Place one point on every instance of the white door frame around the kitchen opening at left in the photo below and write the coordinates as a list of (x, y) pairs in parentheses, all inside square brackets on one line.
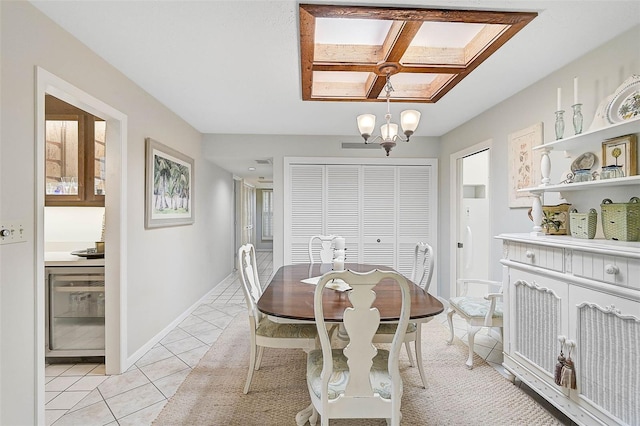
[(115, 249)]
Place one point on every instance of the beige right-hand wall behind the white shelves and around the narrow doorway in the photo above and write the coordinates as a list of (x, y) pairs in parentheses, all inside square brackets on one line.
[(600, 72)]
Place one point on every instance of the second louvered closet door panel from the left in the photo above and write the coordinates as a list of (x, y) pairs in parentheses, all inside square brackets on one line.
[(343, 206)]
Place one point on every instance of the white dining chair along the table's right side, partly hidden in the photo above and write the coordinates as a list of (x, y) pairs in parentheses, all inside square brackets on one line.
[(421, 274)]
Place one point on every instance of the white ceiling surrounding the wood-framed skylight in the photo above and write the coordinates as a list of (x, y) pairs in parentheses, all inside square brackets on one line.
[(233, 66)]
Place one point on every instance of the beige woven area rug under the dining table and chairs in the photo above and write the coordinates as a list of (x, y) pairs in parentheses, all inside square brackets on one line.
[(212, 393)]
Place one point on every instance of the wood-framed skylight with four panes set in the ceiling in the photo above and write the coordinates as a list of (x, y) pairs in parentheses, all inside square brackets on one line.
[(347, 52)]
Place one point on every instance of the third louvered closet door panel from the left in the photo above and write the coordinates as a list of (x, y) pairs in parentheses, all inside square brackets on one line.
[(379, 215)]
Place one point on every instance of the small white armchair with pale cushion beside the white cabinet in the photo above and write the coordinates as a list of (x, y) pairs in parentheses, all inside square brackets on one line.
[(478, 312)]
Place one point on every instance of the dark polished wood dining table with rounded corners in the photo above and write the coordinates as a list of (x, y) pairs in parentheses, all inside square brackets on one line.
[(288, 297)]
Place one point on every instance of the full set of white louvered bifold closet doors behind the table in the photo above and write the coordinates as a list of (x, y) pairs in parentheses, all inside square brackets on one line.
[(381, 210)]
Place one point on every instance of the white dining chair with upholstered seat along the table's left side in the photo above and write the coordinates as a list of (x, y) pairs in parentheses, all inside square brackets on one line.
[(265, 333)]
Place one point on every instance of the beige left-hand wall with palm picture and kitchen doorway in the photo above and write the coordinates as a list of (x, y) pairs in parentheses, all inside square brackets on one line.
[(167, 270)]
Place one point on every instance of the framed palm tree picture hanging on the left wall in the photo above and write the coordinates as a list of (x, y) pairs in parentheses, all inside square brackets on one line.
[(169, 186)]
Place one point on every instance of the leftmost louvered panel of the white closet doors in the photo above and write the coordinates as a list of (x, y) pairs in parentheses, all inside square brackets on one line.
[(306, 186)]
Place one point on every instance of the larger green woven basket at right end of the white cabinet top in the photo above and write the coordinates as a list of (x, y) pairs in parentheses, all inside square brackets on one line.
[(621, 221)]
